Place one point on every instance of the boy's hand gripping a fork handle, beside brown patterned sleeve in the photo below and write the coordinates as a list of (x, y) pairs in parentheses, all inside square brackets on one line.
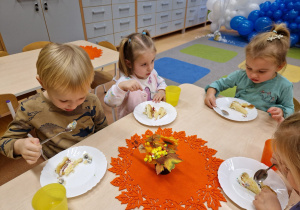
[(29, 148)]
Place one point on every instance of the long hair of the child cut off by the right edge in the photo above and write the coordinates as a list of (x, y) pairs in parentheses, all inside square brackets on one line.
[(287, 144)]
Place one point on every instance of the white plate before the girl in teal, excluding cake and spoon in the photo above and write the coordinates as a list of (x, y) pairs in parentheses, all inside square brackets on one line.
[(224, 103)]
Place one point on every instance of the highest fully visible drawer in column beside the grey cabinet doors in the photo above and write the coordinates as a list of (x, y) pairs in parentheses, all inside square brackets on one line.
[(97, 14)]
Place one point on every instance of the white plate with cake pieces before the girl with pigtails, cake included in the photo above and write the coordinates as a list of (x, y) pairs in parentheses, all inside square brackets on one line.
[(155, 114)]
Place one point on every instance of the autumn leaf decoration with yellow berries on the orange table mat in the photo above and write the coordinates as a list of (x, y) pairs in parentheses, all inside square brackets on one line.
[(161, 151)]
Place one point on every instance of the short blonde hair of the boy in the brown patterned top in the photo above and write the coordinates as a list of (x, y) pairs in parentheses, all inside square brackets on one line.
[(65, 67)]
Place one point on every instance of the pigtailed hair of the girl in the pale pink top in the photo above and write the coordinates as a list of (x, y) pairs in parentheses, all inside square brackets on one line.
[(131, 47)]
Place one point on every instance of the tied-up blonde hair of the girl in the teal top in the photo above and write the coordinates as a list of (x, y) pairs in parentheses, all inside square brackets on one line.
[(276, 49)]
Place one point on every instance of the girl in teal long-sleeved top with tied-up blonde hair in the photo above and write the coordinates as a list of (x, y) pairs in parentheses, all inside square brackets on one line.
[(260, 84)]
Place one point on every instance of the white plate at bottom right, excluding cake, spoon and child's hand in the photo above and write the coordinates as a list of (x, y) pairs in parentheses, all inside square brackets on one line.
[(232, 168)]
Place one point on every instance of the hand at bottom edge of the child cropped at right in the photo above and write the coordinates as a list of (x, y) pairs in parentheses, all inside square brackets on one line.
[(266, 199)]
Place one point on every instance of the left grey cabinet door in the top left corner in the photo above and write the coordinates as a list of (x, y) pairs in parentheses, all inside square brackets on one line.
[(21, 23)]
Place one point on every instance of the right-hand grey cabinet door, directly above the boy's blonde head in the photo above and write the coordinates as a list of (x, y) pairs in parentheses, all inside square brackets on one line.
[(63, 20)]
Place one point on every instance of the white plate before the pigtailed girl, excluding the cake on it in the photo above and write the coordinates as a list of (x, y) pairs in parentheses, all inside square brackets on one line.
[(142, 118)]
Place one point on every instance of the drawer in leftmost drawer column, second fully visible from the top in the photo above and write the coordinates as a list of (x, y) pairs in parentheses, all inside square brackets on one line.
[(99, 29)]
